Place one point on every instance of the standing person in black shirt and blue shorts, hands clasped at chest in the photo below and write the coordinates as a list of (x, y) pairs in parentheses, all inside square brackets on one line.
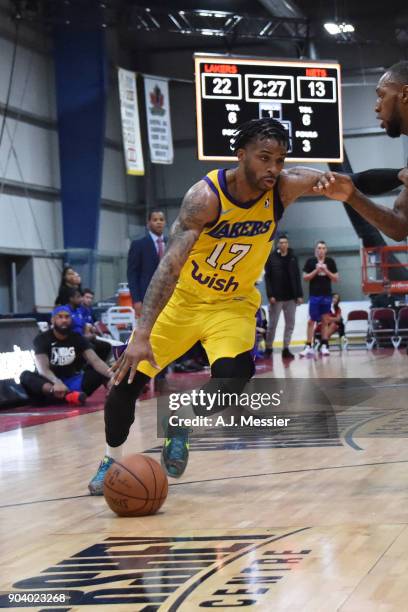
[(320, 271)]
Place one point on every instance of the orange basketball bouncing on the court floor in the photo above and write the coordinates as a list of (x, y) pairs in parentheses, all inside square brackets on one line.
[(135, 486)]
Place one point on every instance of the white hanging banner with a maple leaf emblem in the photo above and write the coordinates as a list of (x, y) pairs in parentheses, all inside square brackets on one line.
[(158, 120)]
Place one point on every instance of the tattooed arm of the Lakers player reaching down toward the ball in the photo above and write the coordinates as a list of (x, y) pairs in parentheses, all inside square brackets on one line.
[(199, 208)]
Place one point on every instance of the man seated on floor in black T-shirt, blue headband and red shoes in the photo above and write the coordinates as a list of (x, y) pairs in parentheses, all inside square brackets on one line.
[(59, 353)]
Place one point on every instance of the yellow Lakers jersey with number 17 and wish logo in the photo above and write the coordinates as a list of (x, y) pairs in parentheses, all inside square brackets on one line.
[(228, 257)]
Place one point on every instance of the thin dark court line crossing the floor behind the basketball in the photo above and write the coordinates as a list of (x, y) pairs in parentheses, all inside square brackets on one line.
[(189, 482)]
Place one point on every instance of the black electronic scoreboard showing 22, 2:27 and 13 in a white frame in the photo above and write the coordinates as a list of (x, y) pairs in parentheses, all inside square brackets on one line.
[(305, 96)]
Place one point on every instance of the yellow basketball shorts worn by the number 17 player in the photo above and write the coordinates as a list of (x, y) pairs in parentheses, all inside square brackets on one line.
[(225, 329)]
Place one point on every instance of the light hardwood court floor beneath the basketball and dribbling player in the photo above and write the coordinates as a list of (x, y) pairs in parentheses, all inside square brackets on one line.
[(313, 526)]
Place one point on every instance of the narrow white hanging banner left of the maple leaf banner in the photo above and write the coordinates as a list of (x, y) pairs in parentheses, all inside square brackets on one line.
[(129, 112)]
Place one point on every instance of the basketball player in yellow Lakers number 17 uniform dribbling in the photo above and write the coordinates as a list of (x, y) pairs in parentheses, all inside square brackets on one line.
[(204, 287)]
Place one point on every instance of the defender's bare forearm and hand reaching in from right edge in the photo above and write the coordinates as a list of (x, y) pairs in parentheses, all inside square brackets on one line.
[(392, 221)]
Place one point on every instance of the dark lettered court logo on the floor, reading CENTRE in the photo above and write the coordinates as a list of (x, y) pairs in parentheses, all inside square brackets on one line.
[(145, 573)]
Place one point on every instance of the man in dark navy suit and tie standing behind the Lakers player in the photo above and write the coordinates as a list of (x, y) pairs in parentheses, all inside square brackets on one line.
[(144, 257)]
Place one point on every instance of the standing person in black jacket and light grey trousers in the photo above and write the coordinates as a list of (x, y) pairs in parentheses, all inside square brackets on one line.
[(284, 291)]
